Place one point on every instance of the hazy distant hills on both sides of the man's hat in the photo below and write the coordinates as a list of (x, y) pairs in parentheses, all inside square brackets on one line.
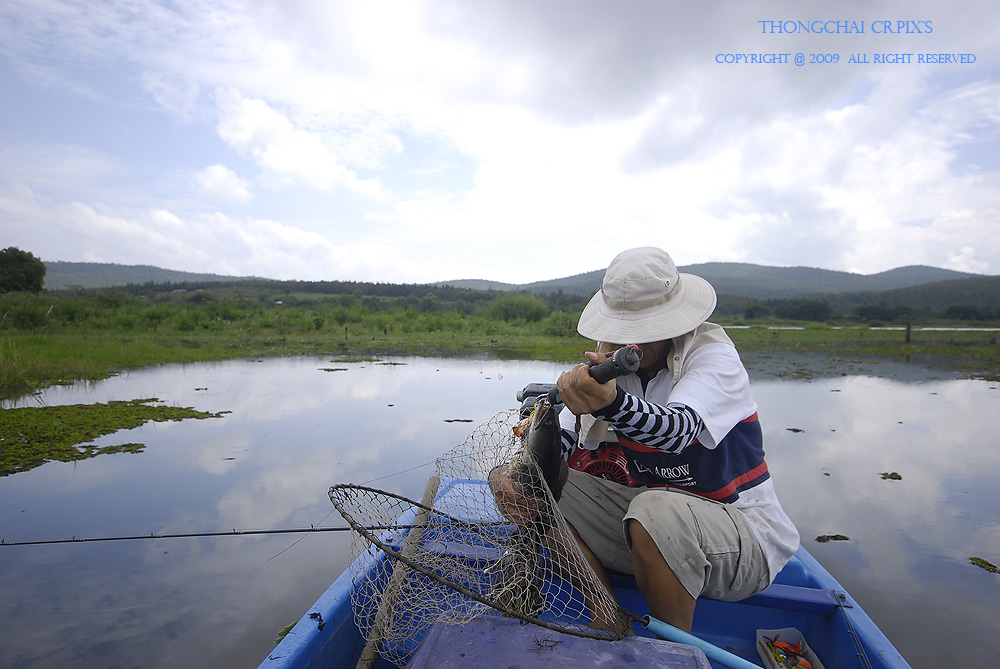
[(748, 280)]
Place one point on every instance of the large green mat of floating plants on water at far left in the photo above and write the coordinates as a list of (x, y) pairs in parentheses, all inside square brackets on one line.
[(32, 436)]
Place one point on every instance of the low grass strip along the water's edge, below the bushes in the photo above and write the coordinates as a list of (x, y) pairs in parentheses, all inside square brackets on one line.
[(29, 361)]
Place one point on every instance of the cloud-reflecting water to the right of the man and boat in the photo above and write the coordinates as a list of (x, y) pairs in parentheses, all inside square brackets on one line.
[(908, 558)]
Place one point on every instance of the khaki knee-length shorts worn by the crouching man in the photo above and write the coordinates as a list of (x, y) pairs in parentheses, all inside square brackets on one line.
[(710, 546)]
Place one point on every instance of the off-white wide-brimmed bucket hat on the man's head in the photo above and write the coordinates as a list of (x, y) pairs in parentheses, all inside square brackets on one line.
[(644, 299)]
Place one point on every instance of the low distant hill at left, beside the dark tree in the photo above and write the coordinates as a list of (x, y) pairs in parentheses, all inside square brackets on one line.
[(63, 275)]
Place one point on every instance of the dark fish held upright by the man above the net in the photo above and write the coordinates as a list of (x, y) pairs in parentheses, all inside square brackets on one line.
[(541, 452)]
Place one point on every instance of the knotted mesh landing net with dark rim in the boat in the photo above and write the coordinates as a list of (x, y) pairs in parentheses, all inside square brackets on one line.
[(455, 555)]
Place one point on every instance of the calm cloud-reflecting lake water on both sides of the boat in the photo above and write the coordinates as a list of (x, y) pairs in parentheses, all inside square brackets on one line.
[(299, 425)]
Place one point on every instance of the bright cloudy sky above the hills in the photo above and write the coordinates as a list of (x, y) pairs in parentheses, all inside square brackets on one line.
[(513, 140)]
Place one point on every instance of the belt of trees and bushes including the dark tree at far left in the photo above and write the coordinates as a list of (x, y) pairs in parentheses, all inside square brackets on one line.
[(258, 303)]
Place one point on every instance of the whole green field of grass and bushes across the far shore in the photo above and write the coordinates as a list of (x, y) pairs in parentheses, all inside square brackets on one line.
[(55, 338)]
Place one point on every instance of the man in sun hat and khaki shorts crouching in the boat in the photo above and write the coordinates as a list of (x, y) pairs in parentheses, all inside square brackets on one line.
[(698, 516)]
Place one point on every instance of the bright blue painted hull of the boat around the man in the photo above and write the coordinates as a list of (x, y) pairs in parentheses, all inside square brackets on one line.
[(804, 596)]
